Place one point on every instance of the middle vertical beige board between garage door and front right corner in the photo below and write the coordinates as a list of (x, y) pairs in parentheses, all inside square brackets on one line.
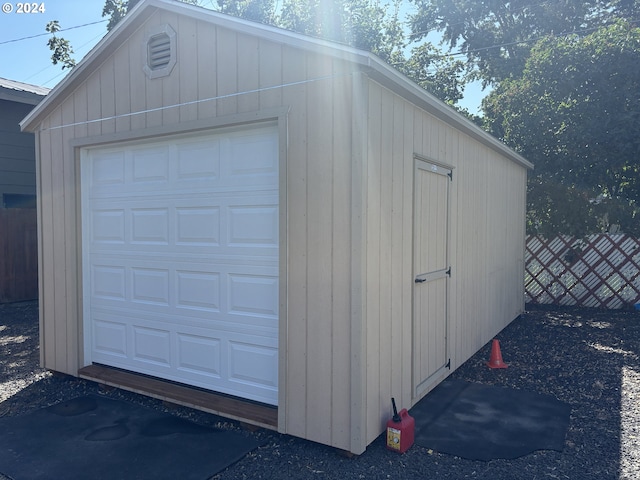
[(319, 254)]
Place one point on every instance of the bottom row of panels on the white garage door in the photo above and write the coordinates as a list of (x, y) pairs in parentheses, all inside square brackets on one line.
[(247, 364)]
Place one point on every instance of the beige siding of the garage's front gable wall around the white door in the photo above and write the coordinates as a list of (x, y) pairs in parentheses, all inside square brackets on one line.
[(316, 386)]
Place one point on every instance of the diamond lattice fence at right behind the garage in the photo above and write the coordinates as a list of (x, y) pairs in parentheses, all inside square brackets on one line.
[(595, 271)]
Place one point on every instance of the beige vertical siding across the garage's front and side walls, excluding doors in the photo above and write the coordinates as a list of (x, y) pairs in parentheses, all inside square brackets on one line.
[(347, 214)]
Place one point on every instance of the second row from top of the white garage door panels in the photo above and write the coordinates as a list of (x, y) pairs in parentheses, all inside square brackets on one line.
[(226, 223)]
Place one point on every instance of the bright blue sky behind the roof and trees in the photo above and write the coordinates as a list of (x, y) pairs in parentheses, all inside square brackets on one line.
[(25, 56)]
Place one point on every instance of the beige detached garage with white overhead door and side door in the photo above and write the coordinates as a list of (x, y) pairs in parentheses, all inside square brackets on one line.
[(267, 226)]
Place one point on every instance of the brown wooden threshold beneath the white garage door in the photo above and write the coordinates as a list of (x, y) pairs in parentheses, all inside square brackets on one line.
[(211, 402)]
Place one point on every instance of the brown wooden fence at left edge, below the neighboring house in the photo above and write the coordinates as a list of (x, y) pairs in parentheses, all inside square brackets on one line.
[(18, 255)]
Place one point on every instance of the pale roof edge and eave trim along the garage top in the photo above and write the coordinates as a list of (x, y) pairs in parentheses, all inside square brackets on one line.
[(374, 67)]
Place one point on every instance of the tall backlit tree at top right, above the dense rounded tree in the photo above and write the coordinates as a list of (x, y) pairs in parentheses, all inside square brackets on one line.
[(496, 36)]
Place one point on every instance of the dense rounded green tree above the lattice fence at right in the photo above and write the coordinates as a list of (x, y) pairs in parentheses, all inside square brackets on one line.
[(575, 113)]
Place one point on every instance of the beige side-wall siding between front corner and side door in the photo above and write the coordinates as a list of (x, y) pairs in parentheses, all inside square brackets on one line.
[(388, 244)]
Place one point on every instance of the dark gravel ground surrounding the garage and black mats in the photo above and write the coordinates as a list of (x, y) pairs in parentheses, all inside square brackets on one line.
[(587, 358)]
